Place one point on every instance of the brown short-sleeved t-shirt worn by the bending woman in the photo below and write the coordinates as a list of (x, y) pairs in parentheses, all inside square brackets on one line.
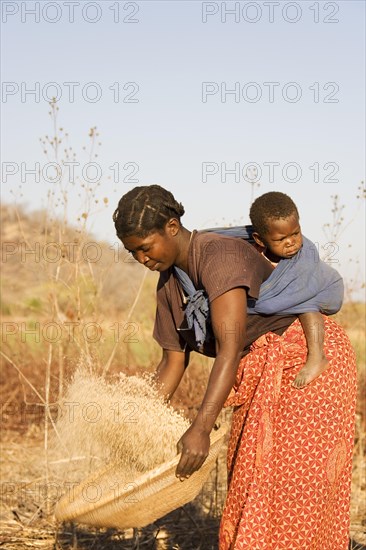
[(216, 264)]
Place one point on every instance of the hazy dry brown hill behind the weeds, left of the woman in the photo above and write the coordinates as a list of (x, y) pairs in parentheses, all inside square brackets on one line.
[(39, 255)]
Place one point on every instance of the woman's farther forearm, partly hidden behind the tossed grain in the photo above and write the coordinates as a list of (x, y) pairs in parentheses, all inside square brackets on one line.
[(170, 371)]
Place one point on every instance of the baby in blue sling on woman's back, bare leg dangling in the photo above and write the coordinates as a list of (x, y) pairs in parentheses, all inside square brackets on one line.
[(301, 283)]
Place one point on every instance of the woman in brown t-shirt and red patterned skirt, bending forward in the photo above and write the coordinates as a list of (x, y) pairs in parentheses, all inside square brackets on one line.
[(290, 450)]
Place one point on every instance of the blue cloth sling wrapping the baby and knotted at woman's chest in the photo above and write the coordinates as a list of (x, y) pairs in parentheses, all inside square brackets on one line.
[(299, 284)]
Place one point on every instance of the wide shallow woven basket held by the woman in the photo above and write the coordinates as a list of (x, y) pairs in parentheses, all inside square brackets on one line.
[(107, 499)]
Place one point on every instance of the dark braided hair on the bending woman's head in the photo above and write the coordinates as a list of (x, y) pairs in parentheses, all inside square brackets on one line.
[(145, 210)]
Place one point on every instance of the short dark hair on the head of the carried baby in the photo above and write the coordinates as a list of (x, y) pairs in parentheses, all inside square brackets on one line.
[(271, 206)]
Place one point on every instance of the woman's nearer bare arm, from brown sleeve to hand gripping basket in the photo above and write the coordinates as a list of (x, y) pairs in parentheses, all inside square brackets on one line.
[(228, 317)]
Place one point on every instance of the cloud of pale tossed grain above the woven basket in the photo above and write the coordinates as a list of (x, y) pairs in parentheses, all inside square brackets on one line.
[(123, 421)]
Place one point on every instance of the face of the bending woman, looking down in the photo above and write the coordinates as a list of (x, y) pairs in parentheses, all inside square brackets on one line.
[(158, 251)]
